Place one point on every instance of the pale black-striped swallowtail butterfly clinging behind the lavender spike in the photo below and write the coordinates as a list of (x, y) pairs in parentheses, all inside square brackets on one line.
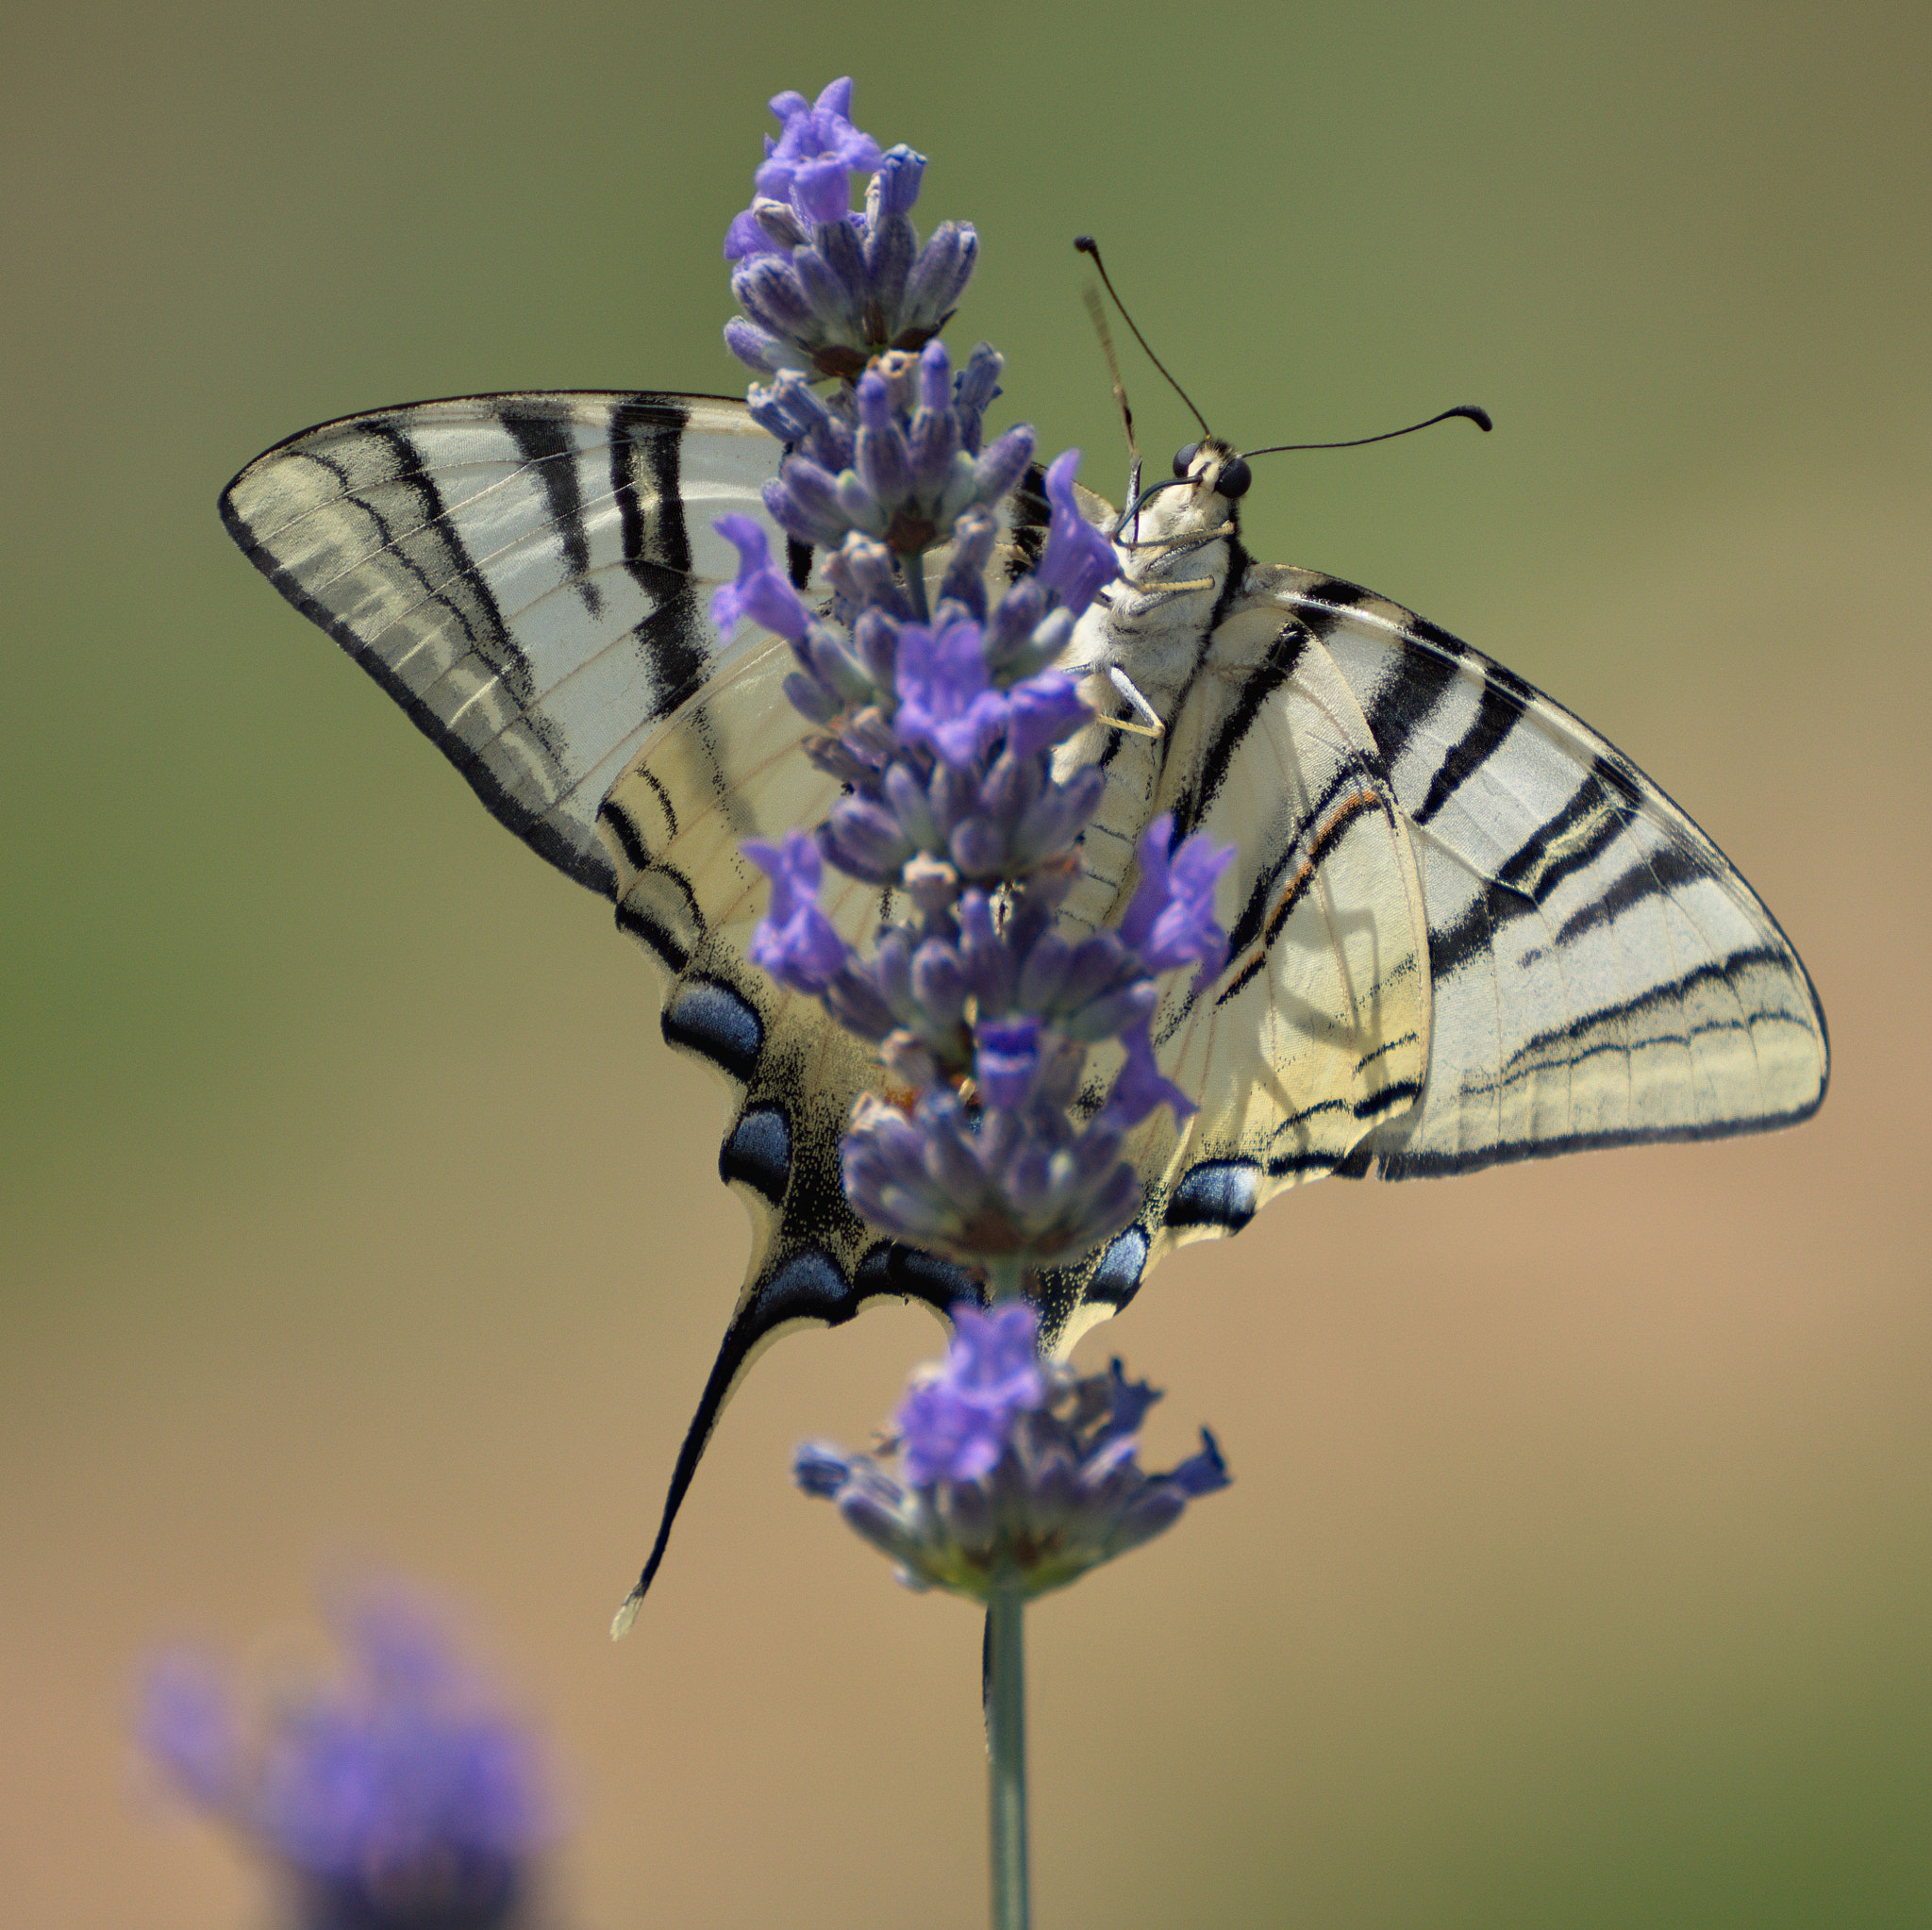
[(1462, 926)]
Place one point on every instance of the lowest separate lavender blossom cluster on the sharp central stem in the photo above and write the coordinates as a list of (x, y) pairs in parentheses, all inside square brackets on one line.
[(1013, 1473)]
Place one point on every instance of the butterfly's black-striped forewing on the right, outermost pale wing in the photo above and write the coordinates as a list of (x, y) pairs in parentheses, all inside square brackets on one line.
[(1601, 973)]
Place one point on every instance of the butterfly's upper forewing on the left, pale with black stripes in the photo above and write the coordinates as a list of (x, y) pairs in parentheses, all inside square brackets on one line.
[(525, 575)]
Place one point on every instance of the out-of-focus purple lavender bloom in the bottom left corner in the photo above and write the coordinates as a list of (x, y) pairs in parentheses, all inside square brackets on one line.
[(391, 1800)]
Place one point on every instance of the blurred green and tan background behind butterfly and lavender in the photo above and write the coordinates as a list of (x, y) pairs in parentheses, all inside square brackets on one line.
[(1577, 1564)]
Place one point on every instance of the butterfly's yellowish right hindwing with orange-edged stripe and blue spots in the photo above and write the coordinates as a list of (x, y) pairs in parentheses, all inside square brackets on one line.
[(1319, 1027)]
